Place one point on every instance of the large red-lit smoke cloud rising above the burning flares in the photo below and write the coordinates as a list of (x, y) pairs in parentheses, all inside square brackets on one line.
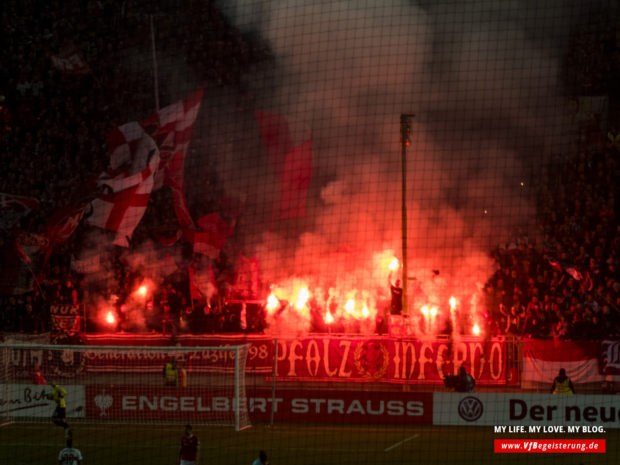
[(483, 80)]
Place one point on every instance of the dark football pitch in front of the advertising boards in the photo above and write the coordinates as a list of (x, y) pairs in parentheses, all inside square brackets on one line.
[(116, 444)]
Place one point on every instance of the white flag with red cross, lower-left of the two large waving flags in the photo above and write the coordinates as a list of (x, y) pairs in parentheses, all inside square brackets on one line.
[(122, 207)]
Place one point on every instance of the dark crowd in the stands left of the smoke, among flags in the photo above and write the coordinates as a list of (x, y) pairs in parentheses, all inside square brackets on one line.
[(66, 77)]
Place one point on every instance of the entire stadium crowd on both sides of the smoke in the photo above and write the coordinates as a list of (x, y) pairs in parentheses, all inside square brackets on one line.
[(566, 286)]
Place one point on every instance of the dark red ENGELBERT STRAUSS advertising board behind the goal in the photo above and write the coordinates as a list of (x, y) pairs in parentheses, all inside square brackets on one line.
[(289, 405)]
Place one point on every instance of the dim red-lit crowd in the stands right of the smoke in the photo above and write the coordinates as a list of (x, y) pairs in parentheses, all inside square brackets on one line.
[(568, 285)]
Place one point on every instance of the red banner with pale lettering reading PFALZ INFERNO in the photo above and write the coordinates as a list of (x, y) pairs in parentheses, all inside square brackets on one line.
[(389, 360)]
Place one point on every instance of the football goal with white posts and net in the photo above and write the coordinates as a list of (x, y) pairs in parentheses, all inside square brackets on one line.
[(142, 385)]
